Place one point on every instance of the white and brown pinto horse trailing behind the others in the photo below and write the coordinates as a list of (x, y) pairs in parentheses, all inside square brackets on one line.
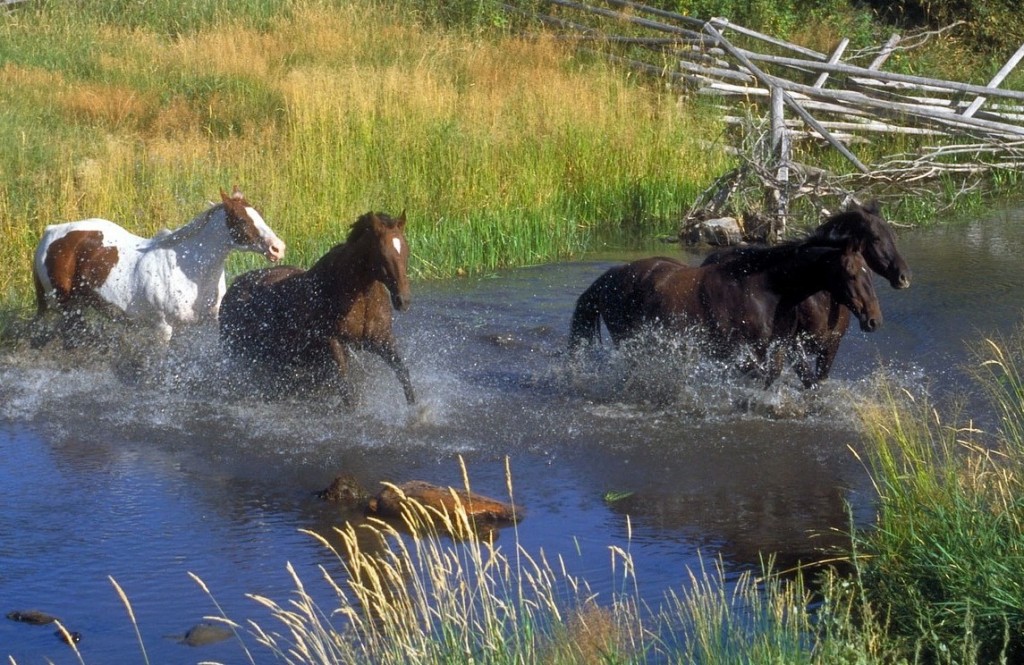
[(175, 279)]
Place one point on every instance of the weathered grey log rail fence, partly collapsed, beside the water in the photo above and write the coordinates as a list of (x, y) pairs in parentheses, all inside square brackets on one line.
[(778, 94)]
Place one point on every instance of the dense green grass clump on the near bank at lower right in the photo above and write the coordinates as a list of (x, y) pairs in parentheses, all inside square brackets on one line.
[(945, 563)]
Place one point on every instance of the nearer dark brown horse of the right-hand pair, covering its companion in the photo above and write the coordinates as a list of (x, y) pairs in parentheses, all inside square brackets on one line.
[(750, 300)]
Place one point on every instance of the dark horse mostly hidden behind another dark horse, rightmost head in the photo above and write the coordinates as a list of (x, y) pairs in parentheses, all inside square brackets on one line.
[(822, 322)]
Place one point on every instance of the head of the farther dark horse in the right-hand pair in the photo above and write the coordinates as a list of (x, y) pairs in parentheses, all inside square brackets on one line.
[(874, 237)]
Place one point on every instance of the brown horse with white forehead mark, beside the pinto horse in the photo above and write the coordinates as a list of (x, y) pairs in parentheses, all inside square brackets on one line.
[(286, 318)]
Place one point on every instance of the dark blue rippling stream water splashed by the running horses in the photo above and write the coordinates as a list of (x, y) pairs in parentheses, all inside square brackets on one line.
[(146, 476)]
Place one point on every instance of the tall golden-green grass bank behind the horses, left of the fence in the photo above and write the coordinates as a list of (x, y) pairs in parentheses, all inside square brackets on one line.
[(503, 151)]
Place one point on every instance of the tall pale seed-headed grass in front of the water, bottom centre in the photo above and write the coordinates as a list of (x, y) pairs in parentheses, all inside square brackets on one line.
[(440, 591)]
